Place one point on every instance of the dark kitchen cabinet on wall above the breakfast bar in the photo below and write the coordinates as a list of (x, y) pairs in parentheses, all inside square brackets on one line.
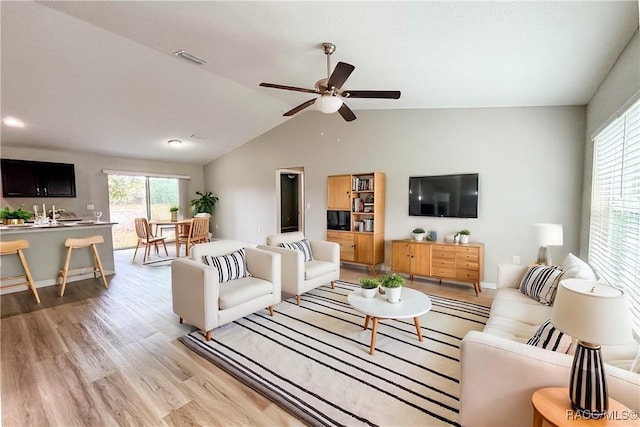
[(23, 178)]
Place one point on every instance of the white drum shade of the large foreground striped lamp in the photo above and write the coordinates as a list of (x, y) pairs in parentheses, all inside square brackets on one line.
[(592, 312)]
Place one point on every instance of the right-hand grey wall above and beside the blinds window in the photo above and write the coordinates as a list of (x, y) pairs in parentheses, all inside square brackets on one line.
[(618, 89)]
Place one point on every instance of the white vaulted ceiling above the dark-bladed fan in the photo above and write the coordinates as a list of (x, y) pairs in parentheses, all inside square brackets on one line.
[(102, 77)]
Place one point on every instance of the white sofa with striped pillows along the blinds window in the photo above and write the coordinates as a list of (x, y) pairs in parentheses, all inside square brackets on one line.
[(500, 371)]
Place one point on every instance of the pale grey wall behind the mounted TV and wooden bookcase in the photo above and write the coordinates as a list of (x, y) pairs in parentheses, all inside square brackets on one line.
[(529, 160)]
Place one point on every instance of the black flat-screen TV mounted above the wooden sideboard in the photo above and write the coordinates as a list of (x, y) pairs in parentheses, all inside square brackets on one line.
[(450, 196)]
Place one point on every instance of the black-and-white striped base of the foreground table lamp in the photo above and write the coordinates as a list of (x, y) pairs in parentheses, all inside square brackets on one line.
[(588, 385)]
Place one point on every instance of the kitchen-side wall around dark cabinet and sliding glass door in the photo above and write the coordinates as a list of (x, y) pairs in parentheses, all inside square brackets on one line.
[(91, 183)]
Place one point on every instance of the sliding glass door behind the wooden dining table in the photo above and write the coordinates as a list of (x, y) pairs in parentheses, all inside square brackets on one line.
[(137, 196)]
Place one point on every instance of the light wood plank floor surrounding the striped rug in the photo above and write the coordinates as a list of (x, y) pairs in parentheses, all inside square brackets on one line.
[(100, 357)]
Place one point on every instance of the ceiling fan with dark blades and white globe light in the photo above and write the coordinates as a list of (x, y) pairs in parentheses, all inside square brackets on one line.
[(329, 89)]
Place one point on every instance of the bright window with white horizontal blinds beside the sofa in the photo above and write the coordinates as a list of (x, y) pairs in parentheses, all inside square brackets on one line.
[(614, 250)]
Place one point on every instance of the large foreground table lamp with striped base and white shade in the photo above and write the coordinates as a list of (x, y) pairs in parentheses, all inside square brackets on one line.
[(593, 313)]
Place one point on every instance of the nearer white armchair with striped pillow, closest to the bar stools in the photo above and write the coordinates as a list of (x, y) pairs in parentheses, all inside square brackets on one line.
[(201, 300)]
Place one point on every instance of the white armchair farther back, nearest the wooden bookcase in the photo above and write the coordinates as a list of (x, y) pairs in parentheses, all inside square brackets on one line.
[(299, 276)]
